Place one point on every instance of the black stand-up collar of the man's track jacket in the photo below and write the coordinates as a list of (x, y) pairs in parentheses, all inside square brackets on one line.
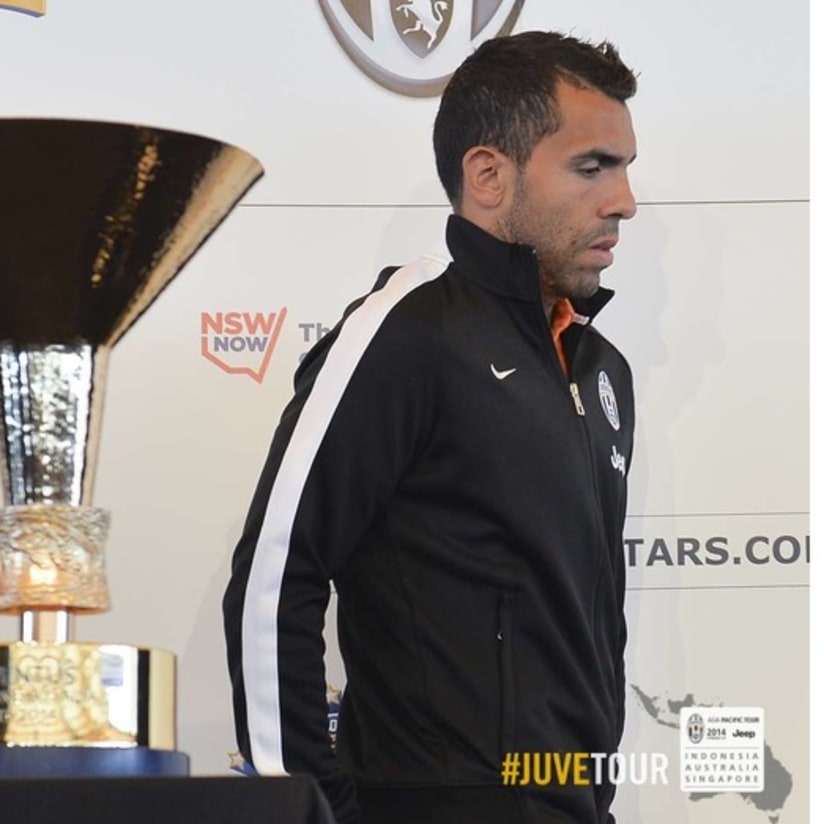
[(508, 269)]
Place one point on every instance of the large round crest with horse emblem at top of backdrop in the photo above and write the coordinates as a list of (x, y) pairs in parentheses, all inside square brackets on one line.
[(413, 47)]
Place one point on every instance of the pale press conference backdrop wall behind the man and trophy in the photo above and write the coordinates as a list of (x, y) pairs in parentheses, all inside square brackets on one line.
[(711, 311)]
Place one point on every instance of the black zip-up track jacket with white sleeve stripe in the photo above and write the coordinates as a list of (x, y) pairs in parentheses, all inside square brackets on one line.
[(467, 498)]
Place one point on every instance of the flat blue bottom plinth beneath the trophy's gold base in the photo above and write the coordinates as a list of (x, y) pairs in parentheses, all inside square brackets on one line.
[(87, 762)]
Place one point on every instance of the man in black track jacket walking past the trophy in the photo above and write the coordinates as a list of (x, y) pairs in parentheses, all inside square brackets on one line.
[(454, 459)]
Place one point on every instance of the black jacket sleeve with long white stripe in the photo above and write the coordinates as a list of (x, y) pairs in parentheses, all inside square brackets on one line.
[(360, 409)]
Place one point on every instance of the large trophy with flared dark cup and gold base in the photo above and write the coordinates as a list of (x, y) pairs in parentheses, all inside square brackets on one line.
[(95, 220)]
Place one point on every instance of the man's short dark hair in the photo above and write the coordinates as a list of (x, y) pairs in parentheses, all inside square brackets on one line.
[(503, 95)]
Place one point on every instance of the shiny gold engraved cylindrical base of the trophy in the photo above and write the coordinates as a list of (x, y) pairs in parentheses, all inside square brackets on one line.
[(81, 695)]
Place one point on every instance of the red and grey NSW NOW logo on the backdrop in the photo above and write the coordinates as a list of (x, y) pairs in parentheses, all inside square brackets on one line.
[(241, 343)]
